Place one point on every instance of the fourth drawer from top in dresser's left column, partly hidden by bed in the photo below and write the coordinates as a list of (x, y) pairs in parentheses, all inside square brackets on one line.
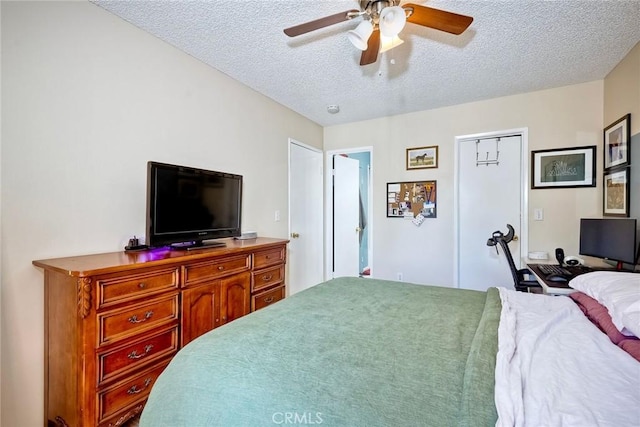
[(121, 397)]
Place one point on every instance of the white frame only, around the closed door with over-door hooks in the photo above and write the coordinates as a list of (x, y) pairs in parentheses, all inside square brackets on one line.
[(524, 194)]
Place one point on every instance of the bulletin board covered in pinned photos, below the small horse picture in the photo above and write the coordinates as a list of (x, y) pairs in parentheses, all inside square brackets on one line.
[(408, 199)]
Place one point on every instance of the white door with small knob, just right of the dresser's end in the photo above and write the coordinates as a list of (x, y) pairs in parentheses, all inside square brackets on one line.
[(305, 217)]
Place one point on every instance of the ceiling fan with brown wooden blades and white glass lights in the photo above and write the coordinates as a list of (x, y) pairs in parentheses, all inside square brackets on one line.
[(384, 19)]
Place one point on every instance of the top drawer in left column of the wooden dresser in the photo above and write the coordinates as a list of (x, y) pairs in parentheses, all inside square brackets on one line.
[(115, 289)]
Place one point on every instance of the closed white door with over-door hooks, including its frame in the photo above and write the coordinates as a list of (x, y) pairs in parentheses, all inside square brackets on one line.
[(490, 192)]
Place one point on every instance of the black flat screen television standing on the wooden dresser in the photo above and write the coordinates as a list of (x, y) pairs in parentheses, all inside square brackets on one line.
[(187, 206)]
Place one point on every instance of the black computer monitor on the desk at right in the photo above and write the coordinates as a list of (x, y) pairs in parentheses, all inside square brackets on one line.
[(613, 239)]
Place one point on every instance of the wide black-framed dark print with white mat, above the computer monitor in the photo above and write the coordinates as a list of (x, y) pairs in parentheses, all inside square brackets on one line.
[(563, 167)]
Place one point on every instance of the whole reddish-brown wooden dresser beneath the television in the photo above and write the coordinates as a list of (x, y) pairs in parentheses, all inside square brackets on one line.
[(113, 321)]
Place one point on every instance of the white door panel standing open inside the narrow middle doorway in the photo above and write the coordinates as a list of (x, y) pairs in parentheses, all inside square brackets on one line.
[(346, 216)]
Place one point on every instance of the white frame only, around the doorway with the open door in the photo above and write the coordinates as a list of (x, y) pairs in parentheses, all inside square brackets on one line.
[(329, 207)]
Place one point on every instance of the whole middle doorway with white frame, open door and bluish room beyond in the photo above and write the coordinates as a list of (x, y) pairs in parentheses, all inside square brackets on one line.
[(348, 220)]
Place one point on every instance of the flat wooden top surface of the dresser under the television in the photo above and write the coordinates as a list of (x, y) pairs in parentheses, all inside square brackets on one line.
[(90, 265)]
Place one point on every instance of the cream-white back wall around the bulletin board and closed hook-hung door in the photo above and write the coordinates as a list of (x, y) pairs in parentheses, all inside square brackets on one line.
[(563, 117)]
